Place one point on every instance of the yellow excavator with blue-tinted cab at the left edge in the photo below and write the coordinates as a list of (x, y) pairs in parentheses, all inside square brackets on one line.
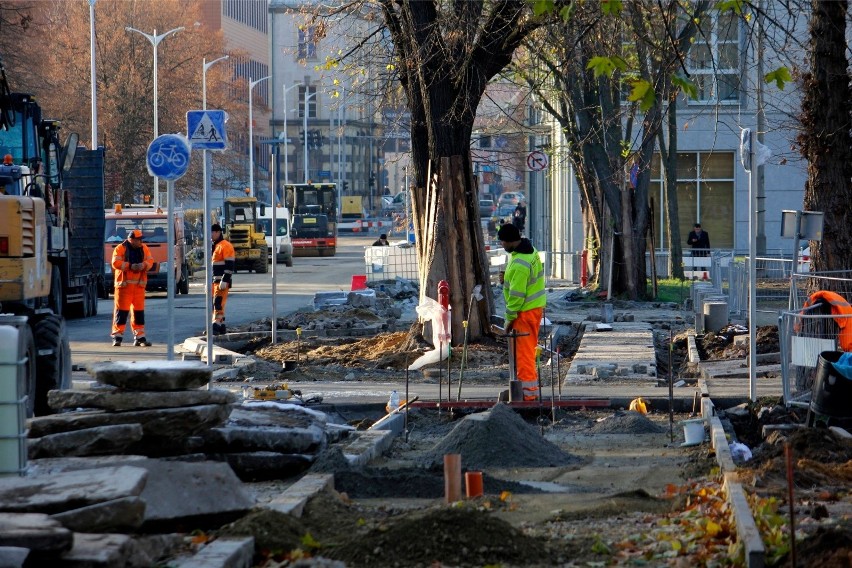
[(35, 235)]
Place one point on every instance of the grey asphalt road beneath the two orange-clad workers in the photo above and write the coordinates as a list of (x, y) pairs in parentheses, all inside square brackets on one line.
[(249, 300)]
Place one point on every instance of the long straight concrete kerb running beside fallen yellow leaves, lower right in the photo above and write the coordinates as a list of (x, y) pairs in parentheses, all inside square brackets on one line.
[(747, 531)]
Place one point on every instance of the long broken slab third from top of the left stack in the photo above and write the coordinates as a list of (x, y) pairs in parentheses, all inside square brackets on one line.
[(157, 423)]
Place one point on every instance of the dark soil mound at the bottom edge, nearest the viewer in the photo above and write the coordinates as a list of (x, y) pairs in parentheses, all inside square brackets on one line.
[(443, 537)]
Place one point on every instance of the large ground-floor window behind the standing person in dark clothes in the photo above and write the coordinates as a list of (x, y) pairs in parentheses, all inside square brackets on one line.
[(705, 194)]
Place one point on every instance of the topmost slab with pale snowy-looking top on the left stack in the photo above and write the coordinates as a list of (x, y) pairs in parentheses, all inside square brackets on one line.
[(152, 375)]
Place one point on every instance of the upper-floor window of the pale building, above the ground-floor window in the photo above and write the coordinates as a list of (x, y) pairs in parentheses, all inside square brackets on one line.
[(714, 59)]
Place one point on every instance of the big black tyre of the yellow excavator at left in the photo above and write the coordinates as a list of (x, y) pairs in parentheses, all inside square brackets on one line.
[(53, 365)]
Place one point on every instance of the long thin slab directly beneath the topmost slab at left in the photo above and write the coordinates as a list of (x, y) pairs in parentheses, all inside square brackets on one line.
[(119, 401)]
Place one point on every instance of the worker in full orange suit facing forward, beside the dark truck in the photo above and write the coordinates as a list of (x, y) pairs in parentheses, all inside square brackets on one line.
[(131, 261)]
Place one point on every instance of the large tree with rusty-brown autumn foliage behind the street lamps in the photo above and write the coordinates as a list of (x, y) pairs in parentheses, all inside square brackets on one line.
[(124, 68)]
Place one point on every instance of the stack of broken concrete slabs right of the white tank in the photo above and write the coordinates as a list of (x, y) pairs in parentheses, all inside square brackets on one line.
[(151, 408)]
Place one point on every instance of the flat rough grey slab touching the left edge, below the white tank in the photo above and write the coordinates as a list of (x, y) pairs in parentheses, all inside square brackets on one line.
[(71, 490)]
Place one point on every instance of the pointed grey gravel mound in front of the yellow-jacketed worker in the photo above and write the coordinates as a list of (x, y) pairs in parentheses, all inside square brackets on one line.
[(498, 438)]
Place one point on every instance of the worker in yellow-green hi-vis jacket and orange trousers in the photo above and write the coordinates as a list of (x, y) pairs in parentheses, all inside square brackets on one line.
[(523, 291)]
